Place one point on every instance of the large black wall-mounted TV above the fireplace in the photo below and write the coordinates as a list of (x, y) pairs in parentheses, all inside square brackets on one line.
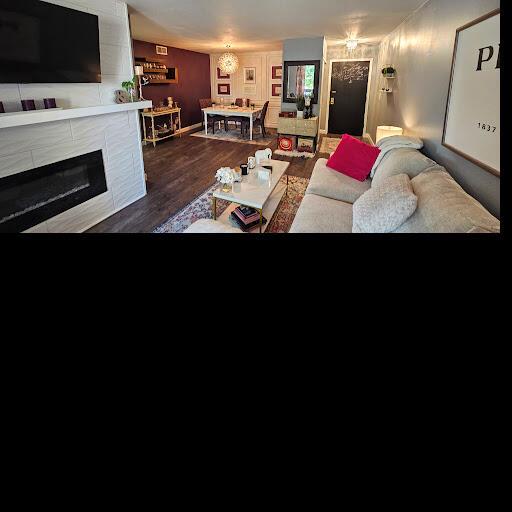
[(45, 43)]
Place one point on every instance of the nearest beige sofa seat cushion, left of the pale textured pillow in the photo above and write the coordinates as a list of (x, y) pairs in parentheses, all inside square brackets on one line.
[(319, 214)]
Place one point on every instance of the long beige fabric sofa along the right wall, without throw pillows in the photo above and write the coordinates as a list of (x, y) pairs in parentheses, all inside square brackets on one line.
[(443, 206)]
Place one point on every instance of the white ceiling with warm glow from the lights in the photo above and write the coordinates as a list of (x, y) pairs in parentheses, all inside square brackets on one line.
[(261, 25)]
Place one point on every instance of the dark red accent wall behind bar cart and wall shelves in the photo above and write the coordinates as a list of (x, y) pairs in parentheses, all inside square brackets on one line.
[(193, 74)]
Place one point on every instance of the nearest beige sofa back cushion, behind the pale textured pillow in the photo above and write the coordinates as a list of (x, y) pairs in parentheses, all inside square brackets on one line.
[(444, 207)]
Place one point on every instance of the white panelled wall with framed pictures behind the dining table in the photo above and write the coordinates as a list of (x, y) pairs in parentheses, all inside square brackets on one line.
[(260, 92)]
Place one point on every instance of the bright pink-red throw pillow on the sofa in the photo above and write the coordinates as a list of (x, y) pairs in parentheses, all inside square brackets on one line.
[(353, 158)]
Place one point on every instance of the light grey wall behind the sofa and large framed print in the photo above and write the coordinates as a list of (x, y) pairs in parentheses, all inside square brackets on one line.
[(421, 50)]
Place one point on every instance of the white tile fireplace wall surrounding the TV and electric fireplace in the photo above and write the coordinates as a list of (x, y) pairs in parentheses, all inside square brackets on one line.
[(117, 135)]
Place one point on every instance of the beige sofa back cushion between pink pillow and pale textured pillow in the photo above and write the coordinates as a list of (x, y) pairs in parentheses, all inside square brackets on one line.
[(402, 161)]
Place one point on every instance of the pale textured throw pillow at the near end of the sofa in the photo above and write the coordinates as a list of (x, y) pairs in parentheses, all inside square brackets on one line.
[(385, 208)]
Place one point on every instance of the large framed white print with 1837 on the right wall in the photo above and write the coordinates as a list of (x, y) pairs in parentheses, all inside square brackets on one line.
[(472, 123)]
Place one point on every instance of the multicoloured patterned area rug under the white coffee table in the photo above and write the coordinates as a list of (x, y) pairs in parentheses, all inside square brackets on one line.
[(201, 208)]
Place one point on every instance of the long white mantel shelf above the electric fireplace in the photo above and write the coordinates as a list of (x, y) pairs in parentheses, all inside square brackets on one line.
[(47, 116)]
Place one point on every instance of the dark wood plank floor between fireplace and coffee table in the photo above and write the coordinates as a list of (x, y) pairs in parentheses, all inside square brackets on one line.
[(178, 171)]
